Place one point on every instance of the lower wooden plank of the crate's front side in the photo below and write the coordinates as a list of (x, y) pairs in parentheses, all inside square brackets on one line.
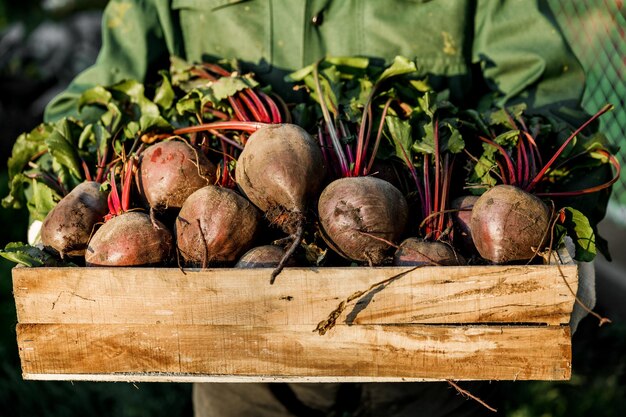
[(361, 351)]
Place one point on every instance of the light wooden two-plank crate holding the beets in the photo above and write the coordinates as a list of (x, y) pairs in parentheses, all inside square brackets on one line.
[(430, 323)]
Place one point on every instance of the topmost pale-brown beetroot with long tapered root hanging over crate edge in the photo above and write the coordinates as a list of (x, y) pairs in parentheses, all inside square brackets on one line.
[(281, 170)]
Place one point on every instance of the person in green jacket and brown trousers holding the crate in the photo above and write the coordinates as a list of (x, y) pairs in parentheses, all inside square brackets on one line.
[(495, 51)]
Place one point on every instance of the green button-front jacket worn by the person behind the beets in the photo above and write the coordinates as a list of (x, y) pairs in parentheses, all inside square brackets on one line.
[(502, 50)]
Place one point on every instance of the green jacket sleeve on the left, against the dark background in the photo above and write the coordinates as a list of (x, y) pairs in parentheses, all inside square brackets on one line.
[(133, 38)]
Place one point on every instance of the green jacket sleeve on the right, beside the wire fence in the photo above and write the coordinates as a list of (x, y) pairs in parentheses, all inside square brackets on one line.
[(524, 57)]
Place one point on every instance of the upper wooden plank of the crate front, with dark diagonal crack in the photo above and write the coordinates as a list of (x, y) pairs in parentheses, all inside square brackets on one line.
[(301, 296)]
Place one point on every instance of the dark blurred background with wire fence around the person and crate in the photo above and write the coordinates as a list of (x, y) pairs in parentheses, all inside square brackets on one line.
[(44, 43)]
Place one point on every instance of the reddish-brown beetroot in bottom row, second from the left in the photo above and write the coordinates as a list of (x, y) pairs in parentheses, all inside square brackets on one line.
[(130, 239)]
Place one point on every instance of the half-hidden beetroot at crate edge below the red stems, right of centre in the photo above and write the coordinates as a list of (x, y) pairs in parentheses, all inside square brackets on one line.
[(414, 252)]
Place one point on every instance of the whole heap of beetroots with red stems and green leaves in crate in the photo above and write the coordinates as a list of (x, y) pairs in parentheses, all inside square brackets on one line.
[(388, 173)]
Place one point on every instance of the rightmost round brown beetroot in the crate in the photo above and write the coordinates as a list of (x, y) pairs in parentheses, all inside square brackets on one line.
[(509, 224)]
